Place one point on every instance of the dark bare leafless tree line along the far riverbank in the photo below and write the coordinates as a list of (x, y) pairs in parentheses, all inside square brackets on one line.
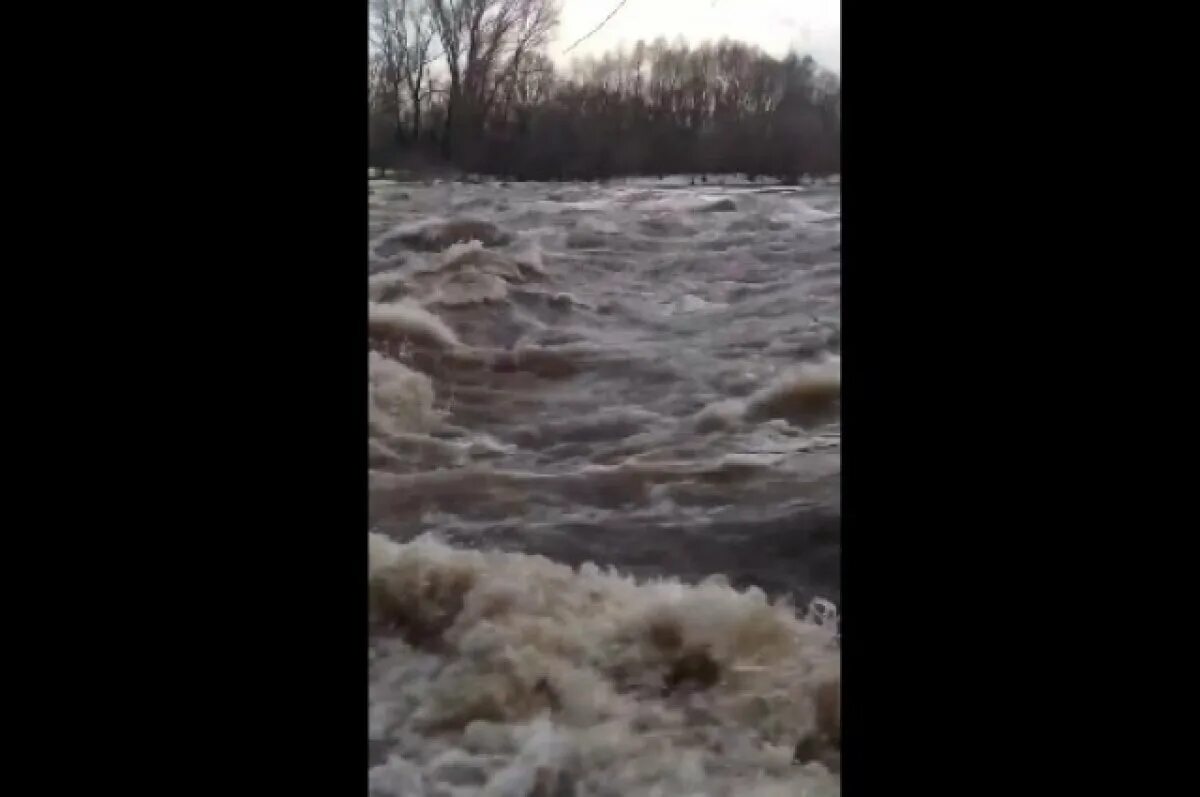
[(471, 83)]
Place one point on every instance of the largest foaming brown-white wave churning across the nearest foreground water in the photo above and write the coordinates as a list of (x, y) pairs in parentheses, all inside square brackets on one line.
[(543, 679)]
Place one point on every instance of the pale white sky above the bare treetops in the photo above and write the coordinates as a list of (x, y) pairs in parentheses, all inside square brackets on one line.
[(812, 27)]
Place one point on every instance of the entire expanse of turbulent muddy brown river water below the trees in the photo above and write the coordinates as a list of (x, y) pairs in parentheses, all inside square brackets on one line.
[(604, 465)]
